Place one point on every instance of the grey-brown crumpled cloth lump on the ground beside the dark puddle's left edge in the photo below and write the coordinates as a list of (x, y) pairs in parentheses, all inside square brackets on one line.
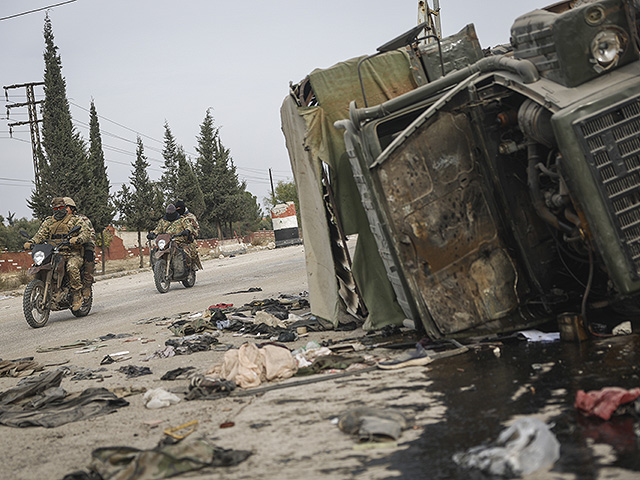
[(372, 424)]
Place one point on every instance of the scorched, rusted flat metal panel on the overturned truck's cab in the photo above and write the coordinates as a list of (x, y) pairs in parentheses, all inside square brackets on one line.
[(447, 237)]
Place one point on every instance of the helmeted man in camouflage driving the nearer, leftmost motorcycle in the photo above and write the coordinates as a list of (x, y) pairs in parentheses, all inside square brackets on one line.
[(53, 229)]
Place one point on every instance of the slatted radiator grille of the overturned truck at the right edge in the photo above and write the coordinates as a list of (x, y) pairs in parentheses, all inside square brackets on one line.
[(611, 142)]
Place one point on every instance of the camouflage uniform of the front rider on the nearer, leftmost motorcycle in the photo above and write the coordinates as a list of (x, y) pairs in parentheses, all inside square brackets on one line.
[(52, 230)]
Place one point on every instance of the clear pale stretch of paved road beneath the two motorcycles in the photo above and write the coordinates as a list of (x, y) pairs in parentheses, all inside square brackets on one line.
[(119, 301)]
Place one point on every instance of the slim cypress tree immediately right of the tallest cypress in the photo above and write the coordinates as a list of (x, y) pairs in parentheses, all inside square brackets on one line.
[(100, 210)]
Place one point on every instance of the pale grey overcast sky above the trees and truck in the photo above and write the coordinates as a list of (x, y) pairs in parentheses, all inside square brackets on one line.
[(145, 62)]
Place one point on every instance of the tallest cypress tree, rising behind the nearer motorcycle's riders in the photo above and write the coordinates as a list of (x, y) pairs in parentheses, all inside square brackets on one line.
[(64, 168)]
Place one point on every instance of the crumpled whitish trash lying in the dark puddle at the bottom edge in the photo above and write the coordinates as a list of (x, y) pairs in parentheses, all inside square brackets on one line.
[(523, 448)]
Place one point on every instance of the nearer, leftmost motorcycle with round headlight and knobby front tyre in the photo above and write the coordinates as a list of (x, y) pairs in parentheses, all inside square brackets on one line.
[(50, 289)]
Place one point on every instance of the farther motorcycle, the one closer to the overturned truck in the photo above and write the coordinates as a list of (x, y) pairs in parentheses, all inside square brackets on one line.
[(171, 263)]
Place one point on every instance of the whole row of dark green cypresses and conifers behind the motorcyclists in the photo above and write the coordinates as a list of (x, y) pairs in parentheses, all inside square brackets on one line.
[(71, 166)]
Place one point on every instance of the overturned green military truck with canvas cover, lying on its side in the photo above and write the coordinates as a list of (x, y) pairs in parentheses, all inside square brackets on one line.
[(490, 190)]
